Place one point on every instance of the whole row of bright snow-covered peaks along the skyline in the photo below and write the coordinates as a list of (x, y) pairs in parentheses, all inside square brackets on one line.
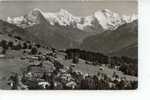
[(105, 19)]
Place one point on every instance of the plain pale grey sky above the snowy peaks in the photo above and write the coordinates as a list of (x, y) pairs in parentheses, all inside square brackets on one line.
[(11, 8)]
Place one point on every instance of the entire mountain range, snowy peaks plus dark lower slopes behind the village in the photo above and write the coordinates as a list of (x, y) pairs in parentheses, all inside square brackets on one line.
[(104, 31)]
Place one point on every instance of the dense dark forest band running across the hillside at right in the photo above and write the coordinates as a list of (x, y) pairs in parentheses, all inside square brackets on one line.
[(126, 65)]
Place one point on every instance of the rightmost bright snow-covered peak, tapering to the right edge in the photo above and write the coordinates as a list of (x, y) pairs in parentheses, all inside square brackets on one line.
[(112, 20)]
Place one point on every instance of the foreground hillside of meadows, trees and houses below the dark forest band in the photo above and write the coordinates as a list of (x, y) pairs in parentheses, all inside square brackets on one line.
[(16, 61)]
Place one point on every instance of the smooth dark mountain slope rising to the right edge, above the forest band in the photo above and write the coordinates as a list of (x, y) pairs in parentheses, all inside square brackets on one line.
[(112, 41)]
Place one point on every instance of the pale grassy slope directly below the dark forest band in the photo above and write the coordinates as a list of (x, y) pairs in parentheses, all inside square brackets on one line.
[(92, 70)]
